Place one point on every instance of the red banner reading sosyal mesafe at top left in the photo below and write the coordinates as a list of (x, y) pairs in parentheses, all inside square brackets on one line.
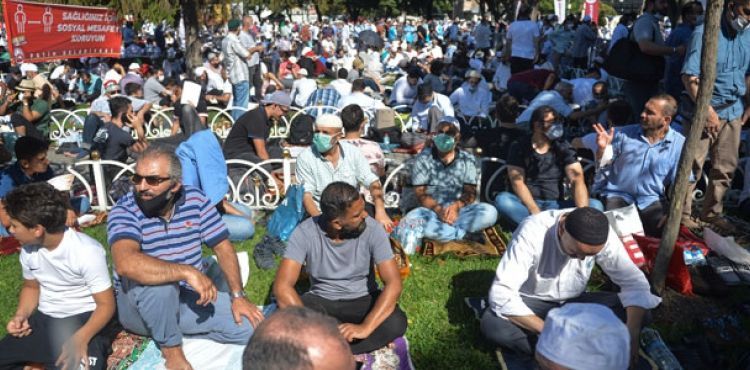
[(39, 32)]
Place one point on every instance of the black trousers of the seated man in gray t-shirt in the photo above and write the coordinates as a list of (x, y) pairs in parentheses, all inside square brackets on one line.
[(354, 311)]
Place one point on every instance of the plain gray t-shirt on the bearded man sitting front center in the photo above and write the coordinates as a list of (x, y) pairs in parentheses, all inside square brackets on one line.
[(339, 270)]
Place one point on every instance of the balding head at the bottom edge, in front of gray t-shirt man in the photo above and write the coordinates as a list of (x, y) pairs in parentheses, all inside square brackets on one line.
[(298, 338)]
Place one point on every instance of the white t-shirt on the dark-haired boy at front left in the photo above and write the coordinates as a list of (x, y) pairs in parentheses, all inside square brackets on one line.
[(69, 275)]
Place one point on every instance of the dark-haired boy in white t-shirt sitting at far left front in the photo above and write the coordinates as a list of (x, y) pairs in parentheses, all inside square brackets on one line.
[(66, 299)]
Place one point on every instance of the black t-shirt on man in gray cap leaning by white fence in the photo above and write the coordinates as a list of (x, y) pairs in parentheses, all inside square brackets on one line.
[(254, 124)]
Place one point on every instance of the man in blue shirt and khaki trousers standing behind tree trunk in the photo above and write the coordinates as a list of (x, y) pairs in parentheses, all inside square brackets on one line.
[(721, 136)]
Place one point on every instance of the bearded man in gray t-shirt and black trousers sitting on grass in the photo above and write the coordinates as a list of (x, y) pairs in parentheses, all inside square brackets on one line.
[(339, 249)]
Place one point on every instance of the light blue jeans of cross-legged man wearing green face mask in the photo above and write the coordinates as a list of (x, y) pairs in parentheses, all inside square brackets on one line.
[(472, 218)]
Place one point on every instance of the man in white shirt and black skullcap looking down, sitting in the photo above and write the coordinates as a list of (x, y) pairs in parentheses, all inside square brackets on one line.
[(547, 265)]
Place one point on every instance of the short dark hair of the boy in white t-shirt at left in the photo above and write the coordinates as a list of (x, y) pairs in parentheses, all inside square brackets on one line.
[(38, 203)]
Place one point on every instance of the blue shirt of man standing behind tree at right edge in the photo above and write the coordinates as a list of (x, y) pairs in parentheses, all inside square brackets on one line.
[(733, 59)]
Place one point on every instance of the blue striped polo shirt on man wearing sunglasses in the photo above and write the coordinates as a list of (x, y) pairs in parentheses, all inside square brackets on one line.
[(195, 221)]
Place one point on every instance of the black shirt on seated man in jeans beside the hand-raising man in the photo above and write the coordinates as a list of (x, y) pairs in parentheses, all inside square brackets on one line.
[(543, 172)]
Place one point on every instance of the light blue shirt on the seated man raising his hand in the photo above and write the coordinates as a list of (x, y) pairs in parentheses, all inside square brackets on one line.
[(641, 172)]
